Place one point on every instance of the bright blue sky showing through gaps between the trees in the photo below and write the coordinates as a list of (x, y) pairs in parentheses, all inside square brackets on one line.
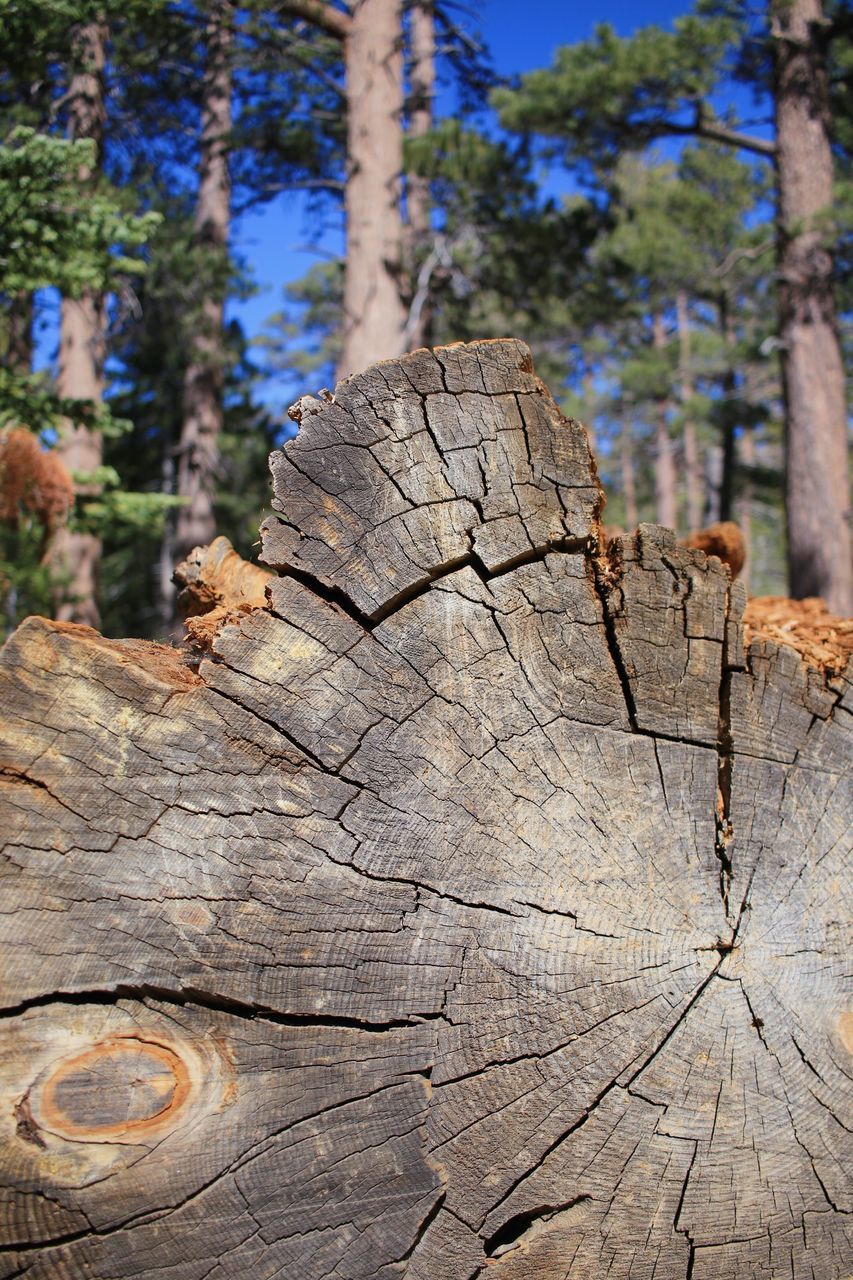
[(521, 38)]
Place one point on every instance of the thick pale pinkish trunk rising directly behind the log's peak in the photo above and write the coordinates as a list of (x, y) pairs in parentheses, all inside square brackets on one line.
[(375, 317)]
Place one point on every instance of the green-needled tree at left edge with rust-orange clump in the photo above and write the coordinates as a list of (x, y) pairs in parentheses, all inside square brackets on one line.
[(56, 234)]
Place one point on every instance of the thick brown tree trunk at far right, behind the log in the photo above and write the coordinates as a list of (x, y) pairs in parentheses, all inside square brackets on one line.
[(818, 493)]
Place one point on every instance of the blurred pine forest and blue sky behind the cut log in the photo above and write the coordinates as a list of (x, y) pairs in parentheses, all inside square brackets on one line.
[(209, 209)]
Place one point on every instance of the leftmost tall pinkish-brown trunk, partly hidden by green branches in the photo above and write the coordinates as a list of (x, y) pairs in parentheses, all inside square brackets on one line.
[(77, 555)]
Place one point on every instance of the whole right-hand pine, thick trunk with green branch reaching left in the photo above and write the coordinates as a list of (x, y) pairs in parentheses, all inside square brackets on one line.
[(610, 95)]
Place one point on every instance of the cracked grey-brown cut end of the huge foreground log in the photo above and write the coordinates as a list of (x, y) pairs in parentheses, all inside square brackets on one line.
[(476, 909)]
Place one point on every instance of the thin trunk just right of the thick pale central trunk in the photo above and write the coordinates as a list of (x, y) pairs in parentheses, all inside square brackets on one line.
[(422, 35)]
